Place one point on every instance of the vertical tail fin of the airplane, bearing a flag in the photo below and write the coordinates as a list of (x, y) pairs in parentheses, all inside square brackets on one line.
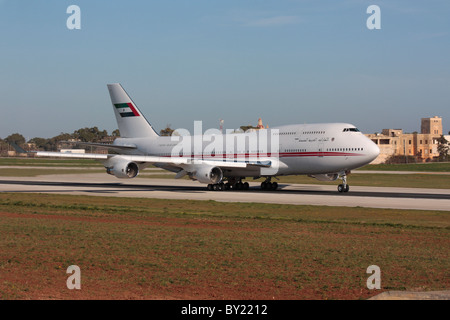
[(131, 122)]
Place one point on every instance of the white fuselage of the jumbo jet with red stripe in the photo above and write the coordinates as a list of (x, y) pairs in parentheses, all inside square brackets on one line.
[(299, 149)]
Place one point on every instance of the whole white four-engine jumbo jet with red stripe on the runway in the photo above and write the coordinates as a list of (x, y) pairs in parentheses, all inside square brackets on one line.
[(325, 151)]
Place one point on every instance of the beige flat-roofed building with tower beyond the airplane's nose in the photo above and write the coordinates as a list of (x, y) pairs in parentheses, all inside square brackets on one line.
[(421, 145)]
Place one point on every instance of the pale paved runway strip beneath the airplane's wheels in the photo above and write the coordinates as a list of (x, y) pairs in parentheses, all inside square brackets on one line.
[(100, 184)]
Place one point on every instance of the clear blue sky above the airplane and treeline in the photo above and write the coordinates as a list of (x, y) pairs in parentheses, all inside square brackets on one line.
[(287, 62)]
